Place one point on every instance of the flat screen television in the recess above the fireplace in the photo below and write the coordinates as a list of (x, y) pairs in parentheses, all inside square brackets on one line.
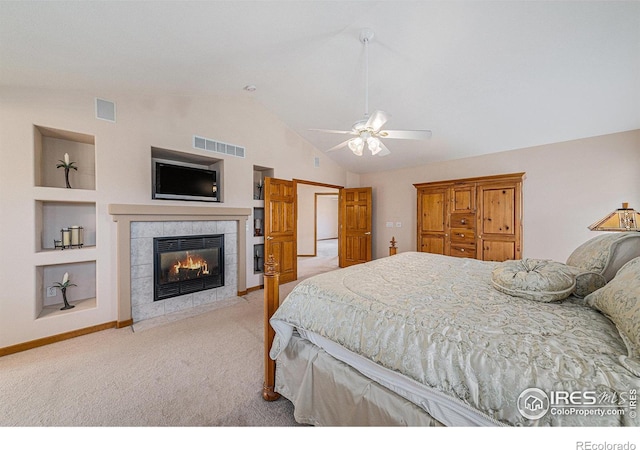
[(183, 181)]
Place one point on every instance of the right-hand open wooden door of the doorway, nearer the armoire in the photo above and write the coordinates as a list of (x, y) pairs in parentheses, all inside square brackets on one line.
[(354, 232)]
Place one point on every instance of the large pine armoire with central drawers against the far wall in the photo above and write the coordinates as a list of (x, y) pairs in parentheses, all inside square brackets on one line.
[(472, 218)]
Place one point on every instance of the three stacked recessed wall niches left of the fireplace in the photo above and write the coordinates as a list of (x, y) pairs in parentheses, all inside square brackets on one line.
[(58, 206)]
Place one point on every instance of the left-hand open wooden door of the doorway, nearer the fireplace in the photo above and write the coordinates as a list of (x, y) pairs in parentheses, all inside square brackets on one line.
[(280, 226)]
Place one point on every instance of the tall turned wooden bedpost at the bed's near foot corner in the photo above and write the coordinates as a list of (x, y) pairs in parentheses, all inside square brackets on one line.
[(271, 303)]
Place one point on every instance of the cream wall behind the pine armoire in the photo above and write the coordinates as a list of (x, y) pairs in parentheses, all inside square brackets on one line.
[(567, 187)]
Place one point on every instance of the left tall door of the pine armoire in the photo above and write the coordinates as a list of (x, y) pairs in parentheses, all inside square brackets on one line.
[(433, 213)]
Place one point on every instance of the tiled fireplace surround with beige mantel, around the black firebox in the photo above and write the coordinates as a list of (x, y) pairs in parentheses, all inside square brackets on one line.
[(138, 225)]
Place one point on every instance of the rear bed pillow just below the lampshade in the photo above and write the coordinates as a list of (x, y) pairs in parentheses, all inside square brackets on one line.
[(606, 253)]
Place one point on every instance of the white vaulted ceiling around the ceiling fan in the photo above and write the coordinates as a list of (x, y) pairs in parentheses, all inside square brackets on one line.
[(483, 76)]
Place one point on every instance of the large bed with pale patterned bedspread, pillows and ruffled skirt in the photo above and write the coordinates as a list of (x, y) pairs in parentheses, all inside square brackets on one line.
[(421, 339)]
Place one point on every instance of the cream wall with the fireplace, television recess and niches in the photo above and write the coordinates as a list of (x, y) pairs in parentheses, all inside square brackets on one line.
[(123, 175)]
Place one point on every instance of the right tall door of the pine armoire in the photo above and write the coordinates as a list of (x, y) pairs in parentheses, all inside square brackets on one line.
[(499, 221)]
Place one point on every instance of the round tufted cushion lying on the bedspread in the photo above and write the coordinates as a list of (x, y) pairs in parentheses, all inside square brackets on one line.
[(535, 279)]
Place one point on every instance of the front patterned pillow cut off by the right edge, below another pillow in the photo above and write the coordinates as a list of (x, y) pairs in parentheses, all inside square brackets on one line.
[(619, 300)]
